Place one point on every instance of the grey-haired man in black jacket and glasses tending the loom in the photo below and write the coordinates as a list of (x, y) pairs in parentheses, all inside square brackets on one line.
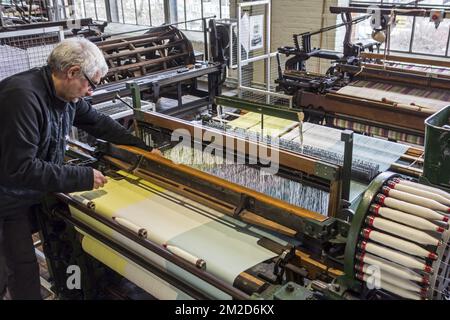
[(38, 109)]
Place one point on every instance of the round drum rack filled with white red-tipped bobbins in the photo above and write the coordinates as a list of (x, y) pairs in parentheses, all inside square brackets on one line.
[(410, 249)]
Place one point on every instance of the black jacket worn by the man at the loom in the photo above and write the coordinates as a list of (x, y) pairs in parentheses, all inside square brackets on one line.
[(34, 125)]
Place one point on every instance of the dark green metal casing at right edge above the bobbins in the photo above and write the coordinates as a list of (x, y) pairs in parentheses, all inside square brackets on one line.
[(436, 169)]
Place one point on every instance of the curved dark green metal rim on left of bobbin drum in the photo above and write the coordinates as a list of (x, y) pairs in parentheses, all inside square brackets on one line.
[(349, 279)]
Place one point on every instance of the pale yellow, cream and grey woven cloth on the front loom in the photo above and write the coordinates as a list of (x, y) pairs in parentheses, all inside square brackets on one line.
[(176, 220)]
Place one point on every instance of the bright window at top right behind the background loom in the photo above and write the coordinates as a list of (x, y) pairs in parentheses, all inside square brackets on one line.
[(416, 35)]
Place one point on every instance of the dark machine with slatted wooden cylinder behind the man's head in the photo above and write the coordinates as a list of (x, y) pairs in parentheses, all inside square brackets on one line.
[(162, 63)]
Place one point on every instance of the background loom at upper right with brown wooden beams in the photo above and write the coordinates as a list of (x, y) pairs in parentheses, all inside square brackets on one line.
[(367, 88)]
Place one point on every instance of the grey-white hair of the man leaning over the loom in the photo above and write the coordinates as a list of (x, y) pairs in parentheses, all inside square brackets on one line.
[(78, 52)]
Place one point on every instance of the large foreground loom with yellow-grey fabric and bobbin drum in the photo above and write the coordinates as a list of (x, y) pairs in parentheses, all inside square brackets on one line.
[(213, 220)]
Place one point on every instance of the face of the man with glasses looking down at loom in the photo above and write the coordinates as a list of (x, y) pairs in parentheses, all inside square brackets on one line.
[(76, 84)]
